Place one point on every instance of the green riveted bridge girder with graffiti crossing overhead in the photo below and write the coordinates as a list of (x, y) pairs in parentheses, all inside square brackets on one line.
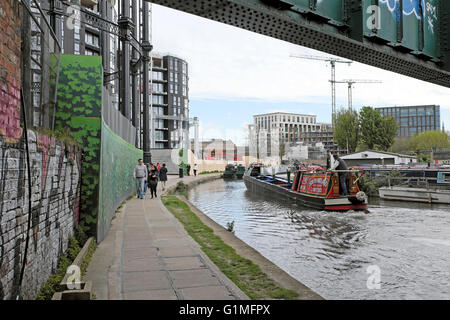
[(412, 37)]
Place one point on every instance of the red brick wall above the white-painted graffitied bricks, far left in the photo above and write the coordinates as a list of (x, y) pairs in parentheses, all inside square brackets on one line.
[(10, 47)]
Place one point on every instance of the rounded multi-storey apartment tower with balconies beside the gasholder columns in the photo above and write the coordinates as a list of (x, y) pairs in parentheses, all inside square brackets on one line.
[(170, 102)]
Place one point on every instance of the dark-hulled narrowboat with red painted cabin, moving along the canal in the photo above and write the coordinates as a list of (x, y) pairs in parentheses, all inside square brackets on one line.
[(318, 189)]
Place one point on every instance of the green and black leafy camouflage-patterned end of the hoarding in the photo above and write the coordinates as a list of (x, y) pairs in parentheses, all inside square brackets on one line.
[(79, 110)]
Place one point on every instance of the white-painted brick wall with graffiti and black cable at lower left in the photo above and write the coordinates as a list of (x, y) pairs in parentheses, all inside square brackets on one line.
[(55, 178)]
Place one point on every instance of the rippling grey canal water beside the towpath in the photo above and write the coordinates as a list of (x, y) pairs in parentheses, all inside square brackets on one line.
[(341, 255)]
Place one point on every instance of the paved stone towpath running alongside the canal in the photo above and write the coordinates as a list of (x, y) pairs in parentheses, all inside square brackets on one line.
[(147, 255)]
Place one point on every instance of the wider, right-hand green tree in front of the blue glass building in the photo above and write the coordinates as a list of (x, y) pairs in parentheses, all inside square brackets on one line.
[(377, 132)]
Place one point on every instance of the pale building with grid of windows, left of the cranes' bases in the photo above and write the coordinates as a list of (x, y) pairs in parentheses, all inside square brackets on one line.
[(270, 132)]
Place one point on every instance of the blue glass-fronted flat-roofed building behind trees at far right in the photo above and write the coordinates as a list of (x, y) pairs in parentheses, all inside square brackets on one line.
[(414, 120)]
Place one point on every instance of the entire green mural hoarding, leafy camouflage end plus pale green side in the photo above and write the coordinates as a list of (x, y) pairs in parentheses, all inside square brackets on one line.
[(108, 160)]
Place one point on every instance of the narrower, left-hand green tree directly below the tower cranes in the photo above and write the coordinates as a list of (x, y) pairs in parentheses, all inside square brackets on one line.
[(346, 131)]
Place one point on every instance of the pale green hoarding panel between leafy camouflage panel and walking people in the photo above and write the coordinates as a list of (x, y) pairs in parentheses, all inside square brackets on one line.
[(118, 159)]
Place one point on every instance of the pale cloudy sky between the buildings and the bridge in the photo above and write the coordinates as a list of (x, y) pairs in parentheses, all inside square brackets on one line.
[(235, 74)]
